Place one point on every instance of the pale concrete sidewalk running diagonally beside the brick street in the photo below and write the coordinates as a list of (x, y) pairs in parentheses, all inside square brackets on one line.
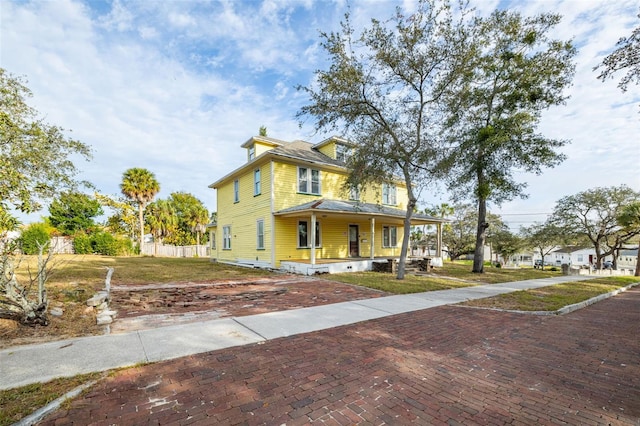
[(39, 363)]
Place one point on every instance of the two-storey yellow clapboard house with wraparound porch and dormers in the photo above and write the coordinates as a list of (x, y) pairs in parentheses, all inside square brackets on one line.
[(287, 207)]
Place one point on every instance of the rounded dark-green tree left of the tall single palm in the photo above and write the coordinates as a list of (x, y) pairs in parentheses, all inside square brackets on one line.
[(74, 212)]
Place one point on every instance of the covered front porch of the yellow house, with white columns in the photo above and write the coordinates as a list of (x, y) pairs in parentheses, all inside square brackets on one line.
[(353, 236)]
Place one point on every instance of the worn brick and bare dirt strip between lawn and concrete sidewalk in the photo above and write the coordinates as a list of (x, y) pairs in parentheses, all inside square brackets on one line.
[(161, 304)]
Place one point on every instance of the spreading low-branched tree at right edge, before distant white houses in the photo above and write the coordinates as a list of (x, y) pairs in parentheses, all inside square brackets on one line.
[(594, 214)]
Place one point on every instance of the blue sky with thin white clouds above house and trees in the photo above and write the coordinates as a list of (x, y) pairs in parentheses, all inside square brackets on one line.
[(177, 86)]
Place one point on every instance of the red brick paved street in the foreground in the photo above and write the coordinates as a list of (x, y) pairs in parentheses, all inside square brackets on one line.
[(446, 365)]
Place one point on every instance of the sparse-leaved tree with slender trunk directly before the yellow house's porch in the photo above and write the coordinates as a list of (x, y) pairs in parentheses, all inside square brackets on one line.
[(381, 92)]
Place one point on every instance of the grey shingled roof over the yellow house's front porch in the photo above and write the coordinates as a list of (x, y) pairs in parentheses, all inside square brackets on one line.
[(356, 208)]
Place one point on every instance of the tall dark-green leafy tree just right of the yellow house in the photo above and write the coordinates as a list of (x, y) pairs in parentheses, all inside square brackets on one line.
[(514, 73)]
